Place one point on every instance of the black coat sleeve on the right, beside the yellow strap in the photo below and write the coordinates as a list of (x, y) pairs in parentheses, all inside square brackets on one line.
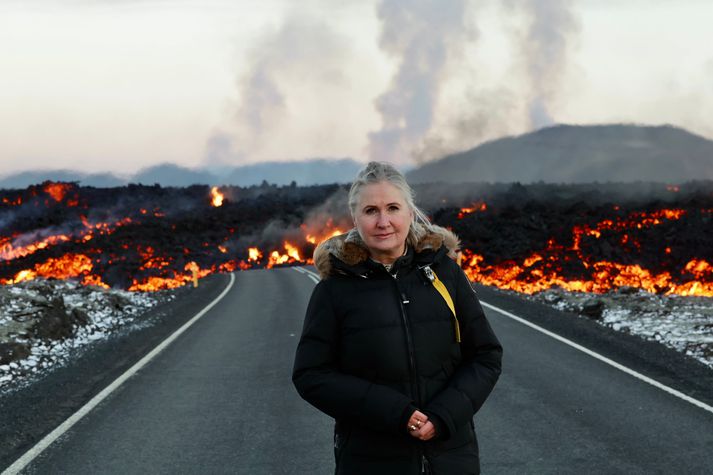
[(475, 377)]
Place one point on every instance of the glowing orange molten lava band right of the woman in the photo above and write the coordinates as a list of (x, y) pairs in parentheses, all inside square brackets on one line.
[(579, 266)]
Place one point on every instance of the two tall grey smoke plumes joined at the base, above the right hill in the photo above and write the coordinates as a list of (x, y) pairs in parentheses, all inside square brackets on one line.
[(424, 35)]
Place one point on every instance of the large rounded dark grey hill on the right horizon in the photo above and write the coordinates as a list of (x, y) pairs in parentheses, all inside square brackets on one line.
[(580, 154)]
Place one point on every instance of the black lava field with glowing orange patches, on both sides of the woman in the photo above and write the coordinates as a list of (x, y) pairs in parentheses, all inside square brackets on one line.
[(146, 238)]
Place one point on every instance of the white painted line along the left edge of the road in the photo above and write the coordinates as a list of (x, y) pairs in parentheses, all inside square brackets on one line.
[(31, 454)]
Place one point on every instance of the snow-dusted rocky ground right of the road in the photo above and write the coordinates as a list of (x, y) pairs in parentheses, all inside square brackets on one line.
[(682, 323)]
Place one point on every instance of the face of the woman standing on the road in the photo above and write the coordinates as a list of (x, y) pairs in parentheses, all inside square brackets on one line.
[(382, 218)]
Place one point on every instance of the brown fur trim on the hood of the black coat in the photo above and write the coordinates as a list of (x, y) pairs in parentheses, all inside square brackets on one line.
[(350, 248)]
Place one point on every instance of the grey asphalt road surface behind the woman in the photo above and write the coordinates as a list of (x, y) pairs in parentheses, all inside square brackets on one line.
[(219, 400)]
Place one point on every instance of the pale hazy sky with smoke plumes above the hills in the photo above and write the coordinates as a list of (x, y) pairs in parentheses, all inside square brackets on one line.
[(120, 85)]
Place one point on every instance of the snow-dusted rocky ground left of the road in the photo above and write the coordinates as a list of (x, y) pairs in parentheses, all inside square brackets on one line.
[(43, 323)]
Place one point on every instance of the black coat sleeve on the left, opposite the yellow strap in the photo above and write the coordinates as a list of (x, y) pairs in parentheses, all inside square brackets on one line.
[(317, 378)]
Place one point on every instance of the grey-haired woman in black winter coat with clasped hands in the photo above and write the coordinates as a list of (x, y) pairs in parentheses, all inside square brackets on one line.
[(381, 350)]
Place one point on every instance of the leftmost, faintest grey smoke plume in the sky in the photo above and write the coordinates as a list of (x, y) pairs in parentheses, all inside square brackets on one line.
[(302, 53)]
